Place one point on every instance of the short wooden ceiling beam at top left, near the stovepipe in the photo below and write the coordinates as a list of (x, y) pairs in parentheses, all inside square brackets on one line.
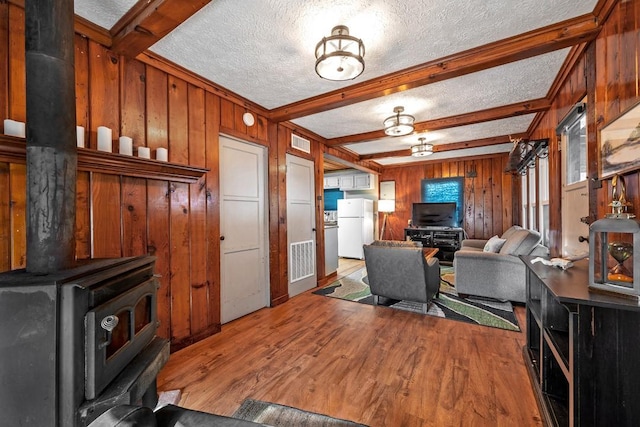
[(148, 21)]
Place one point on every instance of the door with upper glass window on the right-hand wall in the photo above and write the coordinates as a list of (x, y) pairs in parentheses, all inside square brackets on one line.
[(575, 192)]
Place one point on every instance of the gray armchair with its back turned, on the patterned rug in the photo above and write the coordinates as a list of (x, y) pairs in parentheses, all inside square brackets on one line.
[(399, 271)]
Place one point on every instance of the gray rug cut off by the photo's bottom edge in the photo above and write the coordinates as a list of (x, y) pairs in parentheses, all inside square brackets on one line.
[(277, 415)]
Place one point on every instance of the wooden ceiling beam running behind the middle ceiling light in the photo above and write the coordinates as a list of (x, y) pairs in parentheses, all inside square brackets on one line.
[(496, 113)]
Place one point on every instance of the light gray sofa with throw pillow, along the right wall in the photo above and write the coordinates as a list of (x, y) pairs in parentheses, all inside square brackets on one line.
[(499, 274)]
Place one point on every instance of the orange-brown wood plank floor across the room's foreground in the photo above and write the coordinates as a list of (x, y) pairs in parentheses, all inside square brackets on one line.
[(373, 365)]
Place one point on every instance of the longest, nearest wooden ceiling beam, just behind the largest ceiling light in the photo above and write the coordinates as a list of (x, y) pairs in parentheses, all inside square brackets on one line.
[(543, 40)]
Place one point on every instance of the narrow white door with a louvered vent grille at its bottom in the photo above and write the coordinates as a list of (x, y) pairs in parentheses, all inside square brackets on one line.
[(301, 225)]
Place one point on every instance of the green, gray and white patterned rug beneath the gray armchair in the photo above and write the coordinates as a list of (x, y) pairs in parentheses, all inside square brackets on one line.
[(481, 311)]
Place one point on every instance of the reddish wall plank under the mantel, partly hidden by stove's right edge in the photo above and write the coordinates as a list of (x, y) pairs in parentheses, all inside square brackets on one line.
[(158, 245)]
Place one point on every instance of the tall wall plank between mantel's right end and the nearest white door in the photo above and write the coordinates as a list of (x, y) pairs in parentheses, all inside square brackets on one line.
[(212, 134)]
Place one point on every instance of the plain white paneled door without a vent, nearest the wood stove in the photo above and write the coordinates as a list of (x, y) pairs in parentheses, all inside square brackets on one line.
[(243, 229)]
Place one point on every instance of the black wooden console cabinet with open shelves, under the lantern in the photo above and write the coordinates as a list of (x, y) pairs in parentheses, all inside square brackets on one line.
[(583, 349)]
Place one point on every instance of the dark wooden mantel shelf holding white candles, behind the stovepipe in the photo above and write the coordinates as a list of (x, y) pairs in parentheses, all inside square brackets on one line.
[(13, 150)]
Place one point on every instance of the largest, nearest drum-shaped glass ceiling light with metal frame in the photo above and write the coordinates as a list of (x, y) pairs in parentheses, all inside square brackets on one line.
[(340, 56)]
